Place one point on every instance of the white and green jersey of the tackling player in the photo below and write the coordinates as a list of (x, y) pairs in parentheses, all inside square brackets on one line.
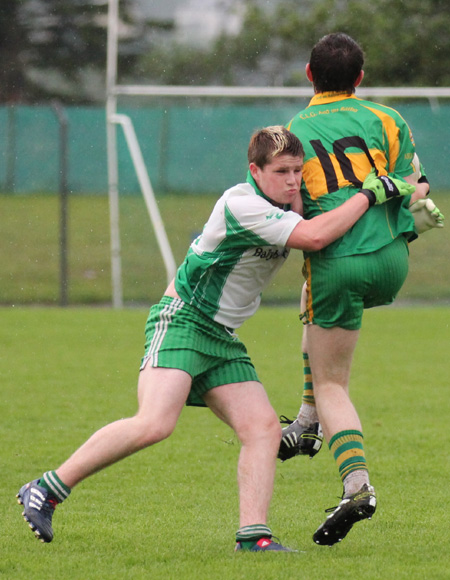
[(240, 250)]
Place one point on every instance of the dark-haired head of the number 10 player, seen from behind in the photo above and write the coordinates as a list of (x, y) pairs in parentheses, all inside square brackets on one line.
[(336, 61)]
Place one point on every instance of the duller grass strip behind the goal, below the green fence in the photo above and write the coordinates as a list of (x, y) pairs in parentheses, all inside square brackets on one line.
[(29, 260)]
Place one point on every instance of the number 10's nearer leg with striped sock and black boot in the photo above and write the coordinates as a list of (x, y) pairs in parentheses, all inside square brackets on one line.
[(331, 352)]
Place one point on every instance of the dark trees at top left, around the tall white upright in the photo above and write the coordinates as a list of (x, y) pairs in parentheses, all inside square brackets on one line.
[(57, 48)]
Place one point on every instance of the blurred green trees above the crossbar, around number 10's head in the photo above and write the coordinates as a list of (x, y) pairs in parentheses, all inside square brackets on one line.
[(406, 43)]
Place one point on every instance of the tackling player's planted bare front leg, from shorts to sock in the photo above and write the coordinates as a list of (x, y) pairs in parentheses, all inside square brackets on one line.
[(260, 441)]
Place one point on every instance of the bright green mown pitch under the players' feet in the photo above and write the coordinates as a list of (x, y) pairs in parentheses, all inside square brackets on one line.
[(171, 511)]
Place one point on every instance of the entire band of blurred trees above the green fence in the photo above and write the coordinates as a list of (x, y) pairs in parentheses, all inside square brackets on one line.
[(57, 48)]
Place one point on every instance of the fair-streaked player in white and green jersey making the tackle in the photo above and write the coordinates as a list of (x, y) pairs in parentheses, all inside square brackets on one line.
[(192, 354)]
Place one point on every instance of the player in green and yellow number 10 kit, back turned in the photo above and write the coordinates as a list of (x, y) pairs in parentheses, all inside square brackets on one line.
[(344, 138)]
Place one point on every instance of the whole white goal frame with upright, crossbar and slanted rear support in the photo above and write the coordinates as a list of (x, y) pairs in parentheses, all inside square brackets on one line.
[(113, 120)]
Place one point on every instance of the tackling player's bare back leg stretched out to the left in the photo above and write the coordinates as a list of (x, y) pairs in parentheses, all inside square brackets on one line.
[(162, 394)]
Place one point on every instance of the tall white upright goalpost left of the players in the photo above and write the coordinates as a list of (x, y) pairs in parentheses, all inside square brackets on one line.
[(111, 137)]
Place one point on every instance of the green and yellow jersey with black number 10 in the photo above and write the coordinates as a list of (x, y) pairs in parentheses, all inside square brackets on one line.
[(344, 137)]
